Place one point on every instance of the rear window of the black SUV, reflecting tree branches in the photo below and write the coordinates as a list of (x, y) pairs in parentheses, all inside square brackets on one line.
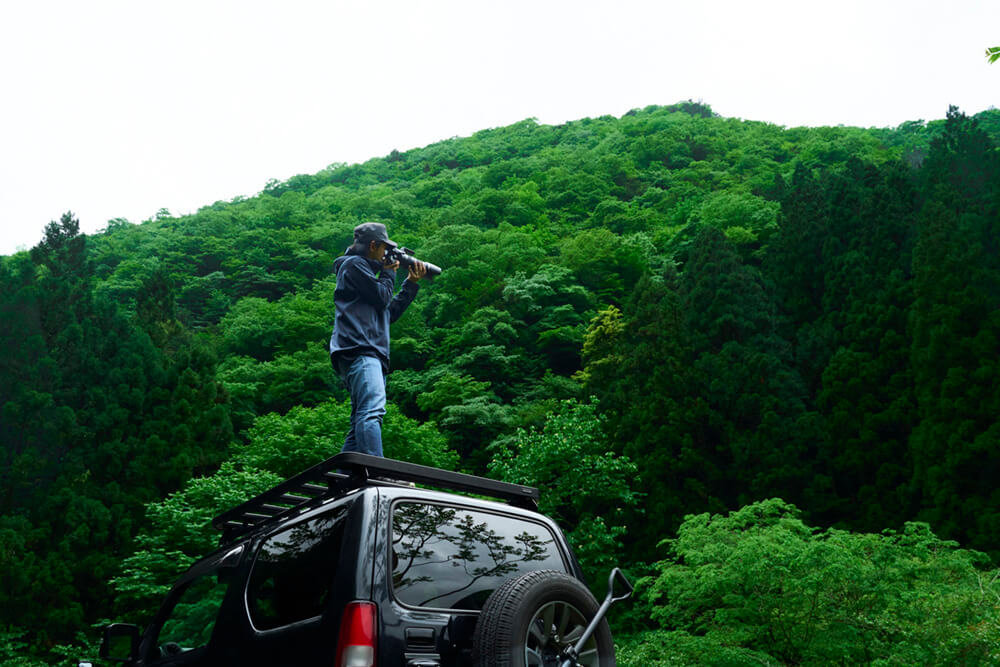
[(453, 558)]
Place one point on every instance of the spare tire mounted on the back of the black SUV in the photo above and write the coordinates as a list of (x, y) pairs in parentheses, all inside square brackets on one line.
[(530, 620)]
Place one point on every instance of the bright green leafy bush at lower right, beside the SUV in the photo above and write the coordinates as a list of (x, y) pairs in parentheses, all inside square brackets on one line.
[(760, 579)]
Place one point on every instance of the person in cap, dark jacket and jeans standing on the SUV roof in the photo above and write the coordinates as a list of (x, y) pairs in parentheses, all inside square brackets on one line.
[(359, 346)]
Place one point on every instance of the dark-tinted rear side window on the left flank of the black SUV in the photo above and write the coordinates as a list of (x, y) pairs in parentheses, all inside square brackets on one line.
[(291, 576)]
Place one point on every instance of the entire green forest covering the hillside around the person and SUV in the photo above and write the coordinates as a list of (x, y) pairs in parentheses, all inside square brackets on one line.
[(755, 366)]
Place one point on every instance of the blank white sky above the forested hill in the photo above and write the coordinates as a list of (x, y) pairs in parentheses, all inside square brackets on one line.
[(121, 108)]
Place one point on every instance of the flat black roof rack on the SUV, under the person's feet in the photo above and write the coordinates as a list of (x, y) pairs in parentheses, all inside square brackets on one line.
[(351, 470)]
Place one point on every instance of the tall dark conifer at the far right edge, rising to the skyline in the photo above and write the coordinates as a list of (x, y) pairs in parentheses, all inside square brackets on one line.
[(955, 321)]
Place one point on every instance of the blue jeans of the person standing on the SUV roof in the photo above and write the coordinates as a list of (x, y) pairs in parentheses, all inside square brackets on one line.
[(366, 383)]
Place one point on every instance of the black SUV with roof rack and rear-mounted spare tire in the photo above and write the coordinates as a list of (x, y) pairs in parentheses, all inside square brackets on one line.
[(349, 564)]
